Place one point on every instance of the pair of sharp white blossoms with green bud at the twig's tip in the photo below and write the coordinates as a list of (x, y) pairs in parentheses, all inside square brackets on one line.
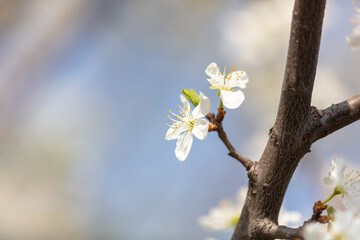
[(190, 122)]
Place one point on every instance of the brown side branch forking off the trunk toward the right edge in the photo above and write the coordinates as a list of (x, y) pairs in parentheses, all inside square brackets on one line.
[(333, 118)]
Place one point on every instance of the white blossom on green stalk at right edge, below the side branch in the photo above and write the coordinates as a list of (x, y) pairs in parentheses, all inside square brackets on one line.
[(346, 183)]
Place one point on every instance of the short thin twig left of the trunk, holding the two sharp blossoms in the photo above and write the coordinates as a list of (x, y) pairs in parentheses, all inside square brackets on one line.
[(216, 125)]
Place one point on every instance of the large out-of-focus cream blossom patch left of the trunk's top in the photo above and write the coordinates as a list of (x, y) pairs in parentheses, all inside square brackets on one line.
[(259, 35)]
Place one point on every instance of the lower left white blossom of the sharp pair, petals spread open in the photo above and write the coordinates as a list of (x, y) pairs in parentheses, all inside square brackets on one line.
[(188, 124)]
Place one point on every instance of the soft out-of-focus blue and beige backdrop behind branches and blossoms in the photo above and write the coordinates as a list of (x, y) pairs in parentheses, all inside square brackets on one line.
[(85, 87)]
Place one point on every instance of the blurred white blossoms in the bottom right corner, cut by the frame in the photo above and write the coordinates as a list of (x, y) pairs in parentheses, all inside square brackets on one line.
[(346, 226)]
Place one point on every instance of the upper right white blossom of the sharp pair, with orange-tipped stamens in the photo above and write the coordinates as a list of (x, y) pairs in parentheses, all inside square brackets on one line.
[(226, 84)]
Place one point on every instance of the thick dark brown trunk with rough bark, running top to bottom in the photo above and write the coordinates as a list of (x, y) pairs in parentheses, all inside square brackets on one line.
[(287, 144)]
